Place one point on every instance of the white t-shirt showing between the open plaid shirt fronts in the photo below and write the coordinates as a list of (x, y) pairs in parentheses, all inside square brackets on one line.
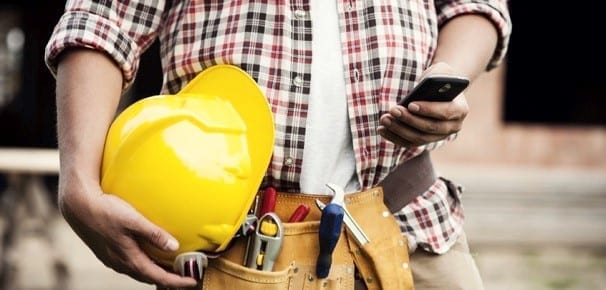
[(328, 155)]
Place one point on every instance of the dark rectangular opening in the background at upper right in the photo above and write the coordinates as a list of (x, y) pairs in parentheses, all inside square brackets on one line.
[(555, 67)]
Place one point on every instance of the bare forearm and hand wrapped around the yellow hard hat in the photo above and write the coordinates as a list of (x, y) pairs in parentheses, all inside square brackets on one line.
[(89, 86)]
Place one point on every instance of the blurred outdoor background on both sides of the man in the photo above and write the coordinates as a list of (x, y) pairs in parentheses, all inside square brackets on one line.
[(532, 157)]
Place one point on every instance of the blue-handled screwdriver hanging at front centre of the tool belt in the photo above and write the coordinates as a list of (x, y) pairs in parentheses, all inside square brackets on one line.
[(331, 222)]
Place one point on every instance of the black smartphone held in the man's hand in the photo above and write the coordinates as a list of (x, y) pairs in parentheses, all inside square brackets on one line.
[(436, 88)]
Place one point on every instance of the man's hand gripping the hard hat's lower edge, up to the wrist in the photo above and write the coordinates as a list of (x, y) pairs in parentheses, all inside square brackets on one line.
[(112, 229)]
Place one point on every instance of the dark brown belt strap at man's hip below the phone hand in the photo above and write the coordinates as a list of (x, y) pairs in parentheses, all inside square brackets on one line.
[(409, 180)]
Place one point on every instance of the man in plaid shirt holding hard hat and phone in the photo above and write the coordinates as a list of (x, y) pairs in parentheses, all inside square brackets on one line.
[(333, 72)]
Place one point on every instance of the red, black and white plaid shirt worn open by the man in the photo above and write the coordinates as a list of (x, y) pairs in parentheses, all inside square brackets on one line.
[(386, 45)]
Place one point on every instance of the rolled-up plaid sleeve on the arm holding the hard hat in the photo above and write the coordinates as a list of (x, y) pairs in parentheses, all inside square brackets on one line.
[(121, 29)]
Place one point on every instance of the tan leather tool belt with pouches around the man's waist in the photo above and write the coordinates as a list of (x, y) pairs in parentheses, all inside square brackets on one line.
[(382, 263)]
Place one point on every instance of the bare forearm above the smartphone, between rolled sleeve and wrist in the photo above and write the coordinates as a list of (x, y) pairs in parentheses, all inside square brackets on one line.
[(467, 43)]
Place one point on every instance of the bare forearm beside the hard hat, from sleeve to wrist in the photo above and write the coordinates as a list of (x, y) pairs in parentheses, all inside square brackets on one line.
[(89, 86)]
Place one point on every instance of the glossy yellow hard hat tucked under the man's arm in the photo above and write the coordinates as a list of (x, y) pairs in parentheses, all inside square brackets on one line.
[(192, 162)]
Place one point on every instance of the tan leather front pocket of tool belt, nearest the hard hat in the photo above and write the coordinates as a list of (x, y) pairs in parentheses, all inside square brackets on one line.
[(294, 267)]
